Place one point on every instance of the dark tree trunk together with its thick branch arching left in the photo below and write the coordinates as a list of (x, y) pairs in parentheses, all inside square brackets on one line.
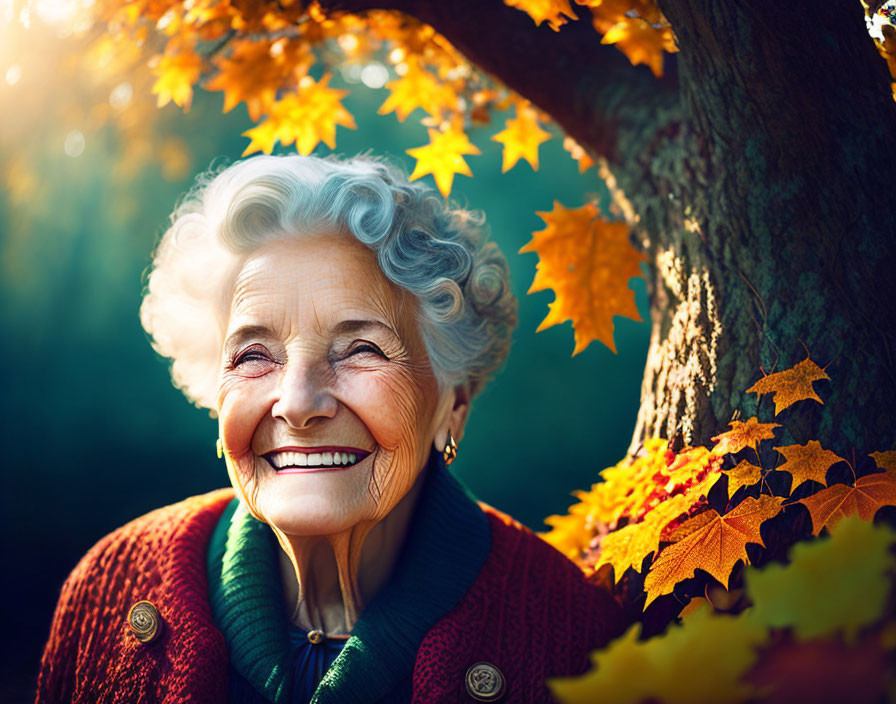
[(755, 176)]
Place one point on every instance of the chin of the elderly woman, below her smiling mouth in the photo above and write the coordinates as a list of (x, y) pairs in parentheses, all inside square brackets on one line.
[(315, 503)]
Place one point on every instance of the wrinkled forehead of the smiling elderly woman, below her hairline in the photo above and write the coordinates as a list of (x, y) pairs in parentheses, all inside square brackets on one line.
[(315, 280)]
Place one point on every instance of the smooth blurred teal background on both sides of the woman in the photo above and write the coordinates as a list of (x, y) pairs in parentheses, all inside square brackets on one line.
[(94, 434)]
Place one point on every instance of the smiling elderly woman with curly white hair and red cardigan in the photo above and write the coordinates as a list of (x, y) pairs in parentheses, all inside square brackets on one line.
[(339, 321)]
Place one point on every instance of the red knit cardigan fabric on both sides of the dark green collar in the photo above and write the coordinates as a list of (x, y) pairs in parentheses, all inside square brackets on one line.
[(530, 609)]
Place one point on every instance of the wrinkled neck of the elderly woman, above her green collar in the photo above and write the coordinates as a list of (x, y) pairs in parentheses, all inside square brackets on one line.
[(327, 580)]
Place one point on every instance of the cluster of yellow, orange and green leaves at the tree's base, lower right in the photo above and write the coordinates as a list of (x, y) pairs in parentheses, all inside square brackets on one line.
[(685, 527)]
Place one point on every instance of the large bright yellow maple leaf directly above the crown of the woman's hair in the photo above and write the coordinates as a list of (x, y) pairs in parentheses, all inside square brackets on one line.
[(306, 118)]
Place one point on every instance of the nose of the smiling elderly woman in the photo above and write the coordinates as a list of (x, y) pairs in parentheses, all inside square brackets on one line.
[(303, 395)]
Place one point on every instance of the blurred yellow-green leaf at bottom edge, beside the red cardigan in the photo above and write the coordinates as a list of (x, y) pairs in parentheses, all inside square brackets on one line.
[(700, 661)]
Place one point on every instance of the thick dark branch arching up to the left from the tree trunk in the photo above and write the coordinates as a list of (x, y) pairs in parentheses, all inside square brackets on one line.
[(591, 90)]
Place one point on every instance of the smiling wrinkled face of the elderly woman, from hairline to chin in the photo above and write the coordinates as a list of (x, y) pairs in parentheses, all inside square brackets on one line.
[(322, 355)]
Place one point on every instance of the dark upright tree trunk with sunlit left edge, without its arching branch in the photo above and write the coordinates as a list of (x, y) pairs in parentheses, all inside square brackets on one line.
[(777, 237)]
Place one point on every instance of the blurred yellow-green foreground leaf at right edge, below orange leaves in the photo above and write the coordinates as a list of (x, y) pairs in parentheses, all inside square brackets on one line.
[(833, 584)]
